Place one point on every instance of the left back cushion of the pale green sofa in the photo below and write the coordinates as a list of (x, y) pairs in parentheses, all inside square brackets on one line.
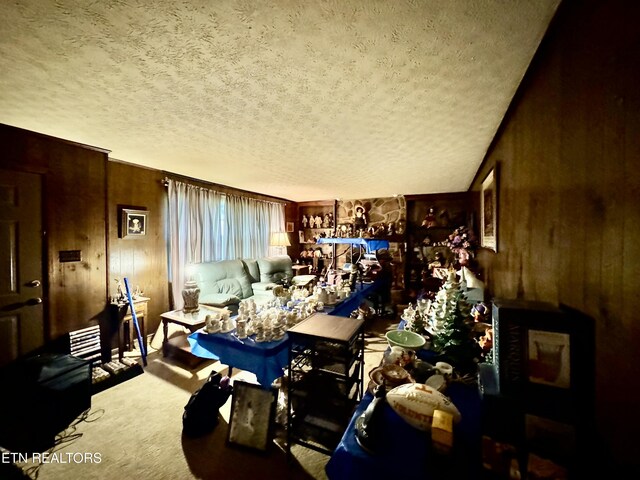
[(226, 277)]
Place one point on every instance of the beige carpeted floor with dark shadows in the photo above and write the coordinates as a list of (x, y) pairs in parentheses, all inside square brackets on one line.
[(135, 428)]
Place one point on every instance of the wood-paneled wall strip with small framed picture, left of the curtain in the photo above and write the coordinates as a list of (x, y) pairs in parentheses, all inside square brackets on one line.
[(143, 260)]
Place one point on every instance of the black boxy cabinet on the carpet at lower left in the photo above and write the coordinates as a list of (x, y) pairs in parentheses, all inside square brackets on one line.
[(44, 395)]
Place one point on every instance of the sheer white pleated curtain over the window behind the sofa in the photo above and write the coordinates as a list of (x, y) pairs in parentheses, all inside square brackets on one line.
[(205, 226)]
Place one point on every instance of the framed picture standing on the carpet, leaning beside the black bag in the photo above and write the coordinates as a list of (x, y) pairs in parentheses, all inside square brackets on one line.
[(252, 414)]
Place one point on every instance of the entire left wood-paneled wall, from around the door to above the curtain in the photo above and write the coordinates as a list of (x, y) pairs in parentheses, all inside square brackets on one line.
[(83, 191)]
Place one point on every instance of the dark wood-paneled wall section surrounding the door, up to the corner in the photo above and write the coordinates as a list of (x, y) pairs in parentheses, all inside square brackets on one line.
[(74, 219)]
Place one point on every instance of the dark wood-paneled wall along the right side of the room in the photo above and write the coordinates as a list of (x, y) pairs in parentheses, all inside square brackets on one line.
[(569, 221)]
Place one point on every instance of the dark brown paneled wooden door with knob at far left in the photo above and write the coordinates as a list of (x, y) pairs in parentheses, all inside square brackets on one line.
[(21, 309)]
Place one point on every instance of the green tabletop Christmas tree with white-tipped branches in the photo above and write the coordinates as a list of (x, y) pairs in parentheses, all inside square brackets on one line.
[(451, 325)]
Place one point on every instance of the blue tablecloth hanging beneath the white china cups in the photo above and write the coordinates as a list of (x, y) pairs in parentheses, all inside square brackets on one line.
[(267, 360)]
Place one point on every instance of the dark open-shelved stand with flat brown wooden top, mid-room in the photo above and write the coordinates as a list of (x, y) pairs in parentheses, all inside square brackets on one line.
[(326, 367)]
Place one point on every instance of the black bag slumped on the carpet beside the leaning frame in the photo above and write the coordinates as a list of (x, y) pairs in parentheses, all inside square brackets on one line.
[(201, 412)]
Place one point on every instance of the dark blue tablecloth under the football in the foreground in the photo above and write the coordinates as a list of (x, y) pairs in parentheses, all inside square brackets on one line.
[(407, 451)]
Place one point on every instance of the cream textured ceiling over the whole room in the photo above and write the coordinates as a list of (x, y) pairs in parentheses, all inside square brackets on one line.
[(299, 99)]
